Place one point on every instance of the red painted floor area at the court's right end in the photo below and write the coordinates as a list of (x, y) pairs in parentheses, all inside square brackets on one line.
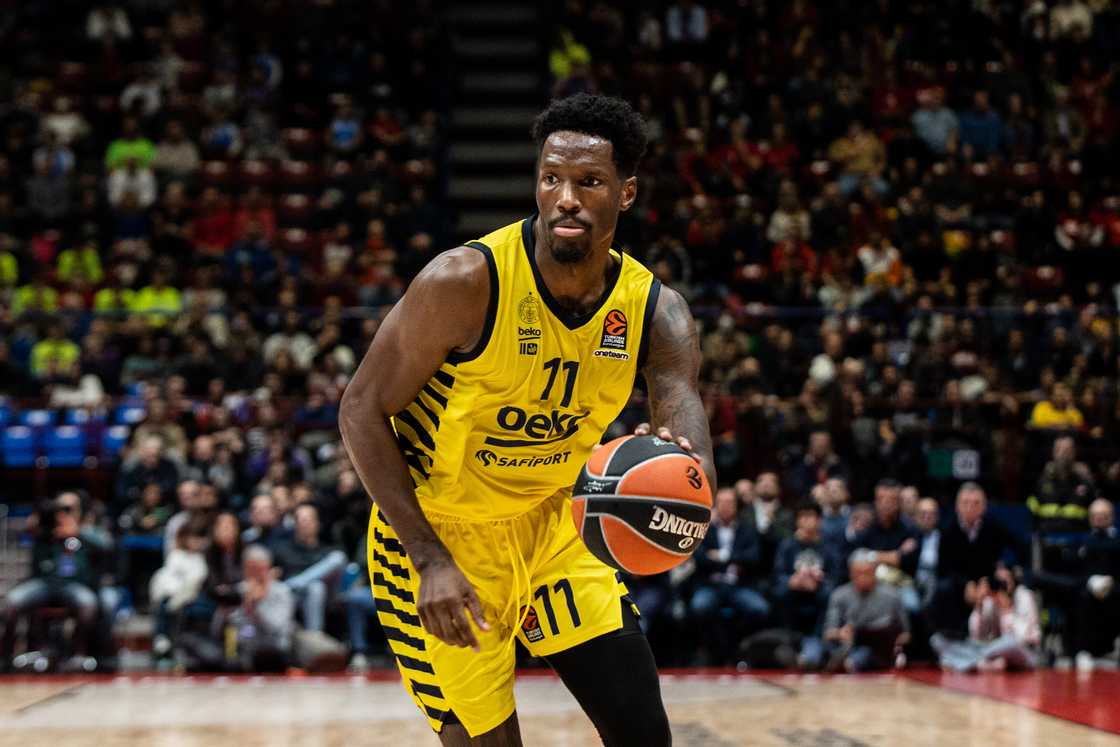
[(1089, 699)]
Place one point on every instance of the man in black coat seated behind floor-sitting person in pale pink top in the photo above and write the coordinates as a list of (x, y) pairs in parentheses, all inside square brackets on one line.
[(974, 547)]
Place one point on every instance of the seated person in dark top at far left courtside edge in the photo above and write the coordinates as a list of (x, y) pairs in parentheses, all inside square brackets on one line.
[(64, 573)]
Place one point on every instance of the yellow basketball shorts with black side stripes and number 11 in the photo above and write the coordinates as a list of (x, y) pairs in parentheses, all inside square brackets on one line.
[(537, 583)]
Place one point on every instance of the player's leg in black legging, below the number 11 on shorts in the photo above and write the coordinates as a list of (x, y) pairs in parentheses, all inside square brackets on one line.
[(614, 679)]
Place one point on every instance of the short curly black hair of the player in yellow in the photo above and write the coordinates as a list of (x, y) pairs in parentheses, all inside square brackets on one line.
[(604, 117)]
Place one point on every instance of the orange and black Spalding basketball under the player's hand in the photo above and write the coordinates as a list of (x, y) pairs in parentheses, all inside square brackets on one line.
[(642, 505)]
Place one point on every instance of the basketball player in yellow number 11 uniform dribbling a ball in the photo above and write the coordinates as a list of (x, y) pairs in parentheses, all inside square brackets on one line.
[(479, 401)]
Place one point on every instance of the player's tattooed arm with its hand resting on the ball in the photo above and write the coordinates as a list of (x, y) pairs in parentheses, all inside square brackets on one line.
[(673, 372)]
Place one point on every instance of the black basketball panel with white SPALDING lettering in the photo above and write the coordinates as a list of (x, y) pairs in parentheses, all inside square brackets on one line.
[(666, 524)]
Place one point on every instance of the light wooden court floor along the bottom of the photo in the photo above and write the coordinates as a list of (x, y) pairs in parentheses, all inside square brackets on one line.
[(706, 709)]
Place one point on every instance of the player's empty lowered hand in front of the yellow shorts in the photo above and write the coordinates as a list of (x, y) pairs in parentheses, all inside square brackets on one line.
[(446, 595)]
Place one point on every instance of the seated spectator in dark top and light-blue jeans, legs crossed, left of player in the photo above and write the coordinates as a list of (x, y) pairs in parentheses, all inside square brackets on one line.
[(310, 568)]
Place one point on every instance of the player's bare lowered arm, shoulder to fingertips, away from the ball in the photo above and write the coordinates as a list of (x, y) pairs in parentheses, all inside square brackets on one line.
[(444, 311)]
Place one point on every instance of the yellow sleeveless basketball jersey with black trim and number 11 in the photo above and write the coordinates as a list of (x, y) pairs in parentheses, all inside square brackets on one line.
[(501, 428)]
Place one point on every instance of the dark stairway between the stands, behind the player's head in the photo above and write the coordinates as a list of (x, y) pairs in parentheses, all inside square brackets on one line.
[(501, 86)]
